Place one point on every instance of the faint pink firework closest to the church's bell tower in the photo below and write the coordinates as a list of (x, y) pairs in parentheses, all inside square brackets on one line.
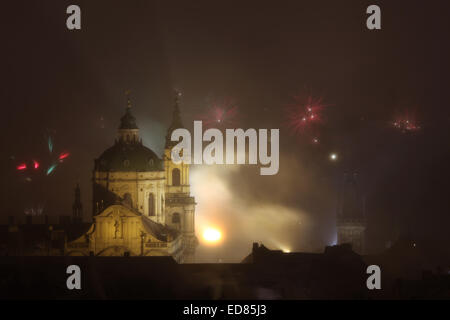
[(220, 115)]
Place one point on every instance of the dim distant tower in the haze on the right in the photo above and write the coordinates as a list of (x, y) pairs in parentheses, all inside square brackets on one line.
[(351, 224)]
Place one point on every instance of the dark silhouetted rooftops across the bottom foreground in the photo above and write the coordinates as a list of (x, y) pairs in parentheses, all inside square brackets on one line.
[(338, 273)]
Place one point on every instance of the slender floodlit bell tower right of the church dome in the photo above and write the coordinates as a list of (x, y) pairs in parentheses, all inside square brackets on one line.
[(180, 205)]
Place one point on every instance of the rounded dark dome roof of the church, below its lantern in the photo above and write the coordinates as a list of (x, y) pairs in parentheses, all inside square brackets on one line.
[(128, 157)]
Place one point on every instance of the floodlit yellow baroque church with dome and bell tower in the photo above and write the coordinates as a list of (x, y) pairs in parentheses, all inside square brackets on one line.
[(141, 203)]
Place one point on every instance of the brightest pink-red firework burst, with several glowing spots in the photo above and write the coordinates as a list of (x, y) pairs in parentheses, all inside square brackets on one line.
[(304, 115)]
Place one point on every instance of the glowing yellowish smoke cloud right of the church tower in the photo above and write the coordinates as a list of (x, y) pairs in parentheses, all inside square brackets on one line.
[(247, 208)]
